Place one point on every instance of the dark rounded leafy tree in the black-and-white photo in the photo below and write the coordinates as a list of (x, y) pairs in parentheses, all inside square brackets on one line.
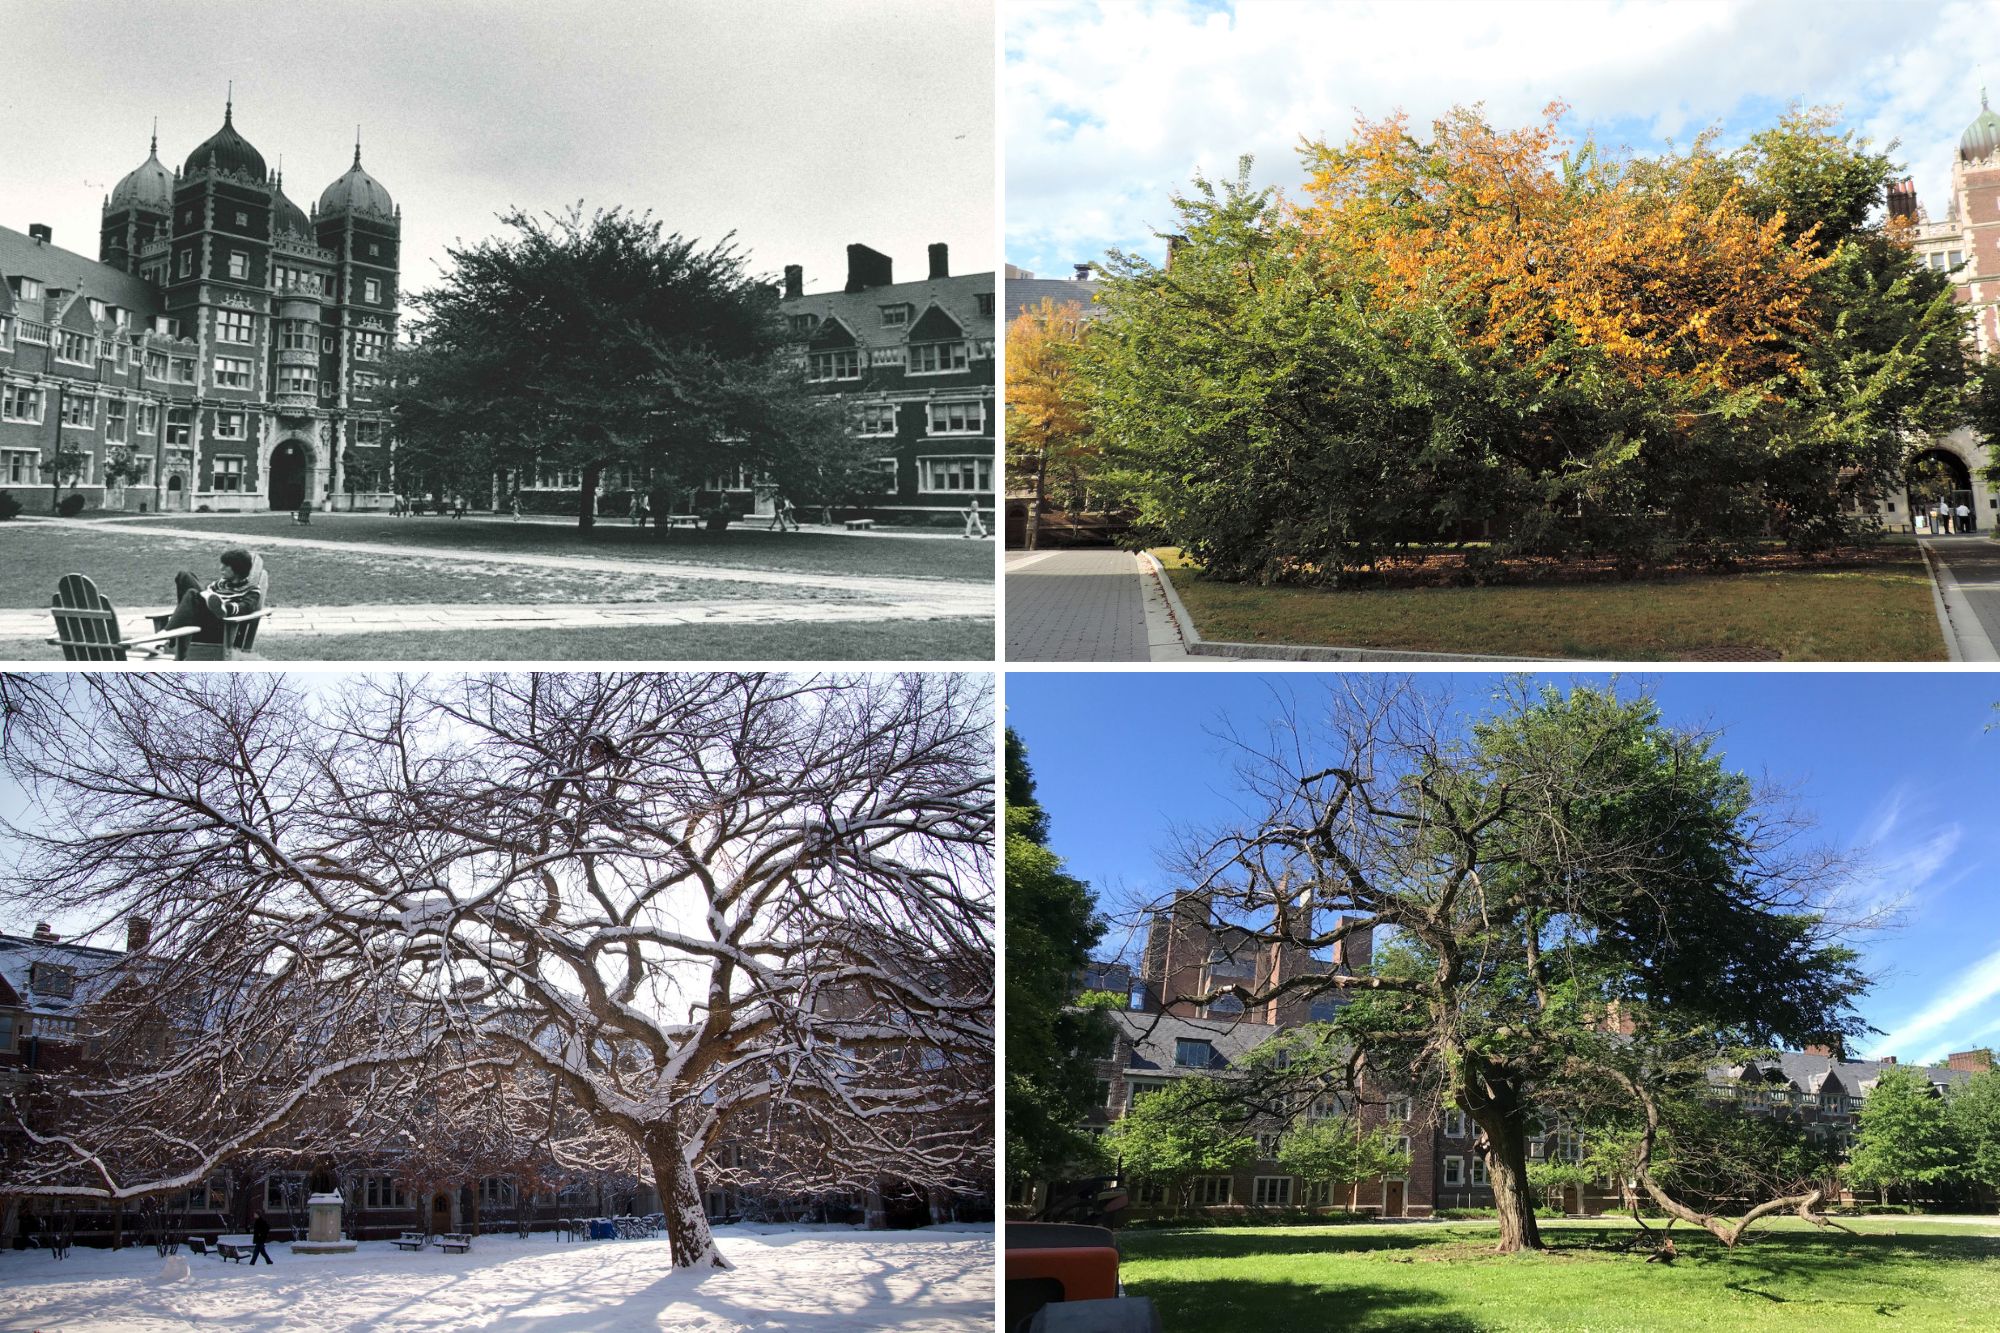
[(597, 343)]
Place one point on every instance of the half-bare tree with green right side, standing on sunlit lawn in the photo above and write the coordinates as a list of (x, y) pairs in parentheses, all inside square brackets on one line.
[(1561, 890)]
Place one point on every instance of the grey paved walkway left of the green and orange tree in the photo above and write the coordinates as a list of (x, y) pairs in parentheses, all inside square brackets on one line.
[(1085, 607)]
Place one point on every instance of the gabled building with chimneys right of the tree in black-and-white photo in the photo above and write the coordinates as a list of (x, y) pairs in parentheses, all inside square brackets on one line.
[(915, 361)]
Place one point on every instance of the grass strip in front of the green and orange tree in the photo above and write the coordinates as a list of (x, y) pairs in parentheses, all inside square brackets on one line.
[(1881, 613)]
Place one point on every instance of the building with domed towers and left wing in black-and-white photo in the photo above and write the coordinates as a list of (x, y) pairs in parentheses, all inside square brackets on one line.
[(223, 351)]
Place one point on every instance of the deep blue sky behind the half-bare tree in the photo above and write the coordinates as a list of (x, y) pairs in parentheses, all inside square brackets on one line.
[(1893, 766)]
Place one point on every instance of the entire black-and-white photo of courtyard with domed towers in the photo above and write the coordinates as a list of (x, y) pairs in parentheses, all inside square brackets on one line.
[(499, 331)]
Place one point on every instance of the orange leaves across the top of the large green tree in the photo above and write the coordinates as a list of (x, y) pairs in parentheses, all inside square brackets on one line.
[(1561, 259)]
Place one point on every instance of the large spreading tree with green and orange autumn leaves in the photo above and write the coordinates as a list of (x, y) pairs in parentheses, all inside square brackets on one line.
[(1499, 335)]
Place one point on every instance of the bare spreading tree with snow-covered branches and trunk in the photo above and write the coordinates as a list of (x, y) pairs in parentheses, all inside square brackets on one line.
[(669, 908)]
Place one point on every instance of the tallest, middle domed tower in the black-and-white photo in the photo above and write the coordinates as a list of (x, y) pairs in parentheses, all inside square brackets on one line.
[(217, 285)]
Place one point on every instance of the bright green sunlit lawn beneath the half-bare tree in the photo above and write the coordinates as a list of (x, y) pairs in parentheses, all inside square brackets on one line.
[(1785, 1276)]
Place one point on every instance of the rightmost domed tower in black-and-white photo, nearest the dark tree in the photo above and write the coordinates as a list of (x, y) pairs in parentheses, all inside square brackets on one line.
[(361, 225)]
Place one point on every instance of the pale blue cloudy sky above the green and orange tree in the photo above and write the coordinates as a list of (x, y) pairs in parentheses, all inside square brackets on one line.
[(1111, 105)]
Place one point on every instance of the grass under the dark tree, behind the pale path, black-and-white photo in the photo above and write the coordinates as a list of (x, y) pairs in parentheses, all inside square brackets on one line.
[(741, 547)]
